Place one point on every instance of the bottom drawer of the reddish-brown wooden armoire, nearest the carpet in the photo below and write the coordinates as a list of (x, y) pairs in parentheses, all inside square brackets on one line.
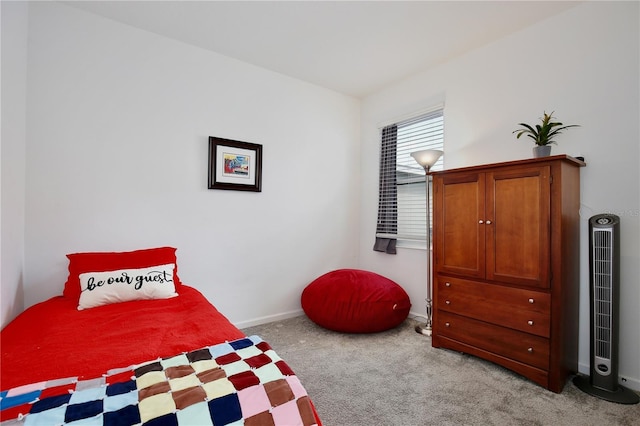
[(524, 347)]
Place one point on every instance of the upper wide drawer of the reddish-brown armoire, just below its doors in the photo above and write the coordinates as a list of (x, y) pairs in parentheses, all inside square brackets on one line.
[(524, 310)]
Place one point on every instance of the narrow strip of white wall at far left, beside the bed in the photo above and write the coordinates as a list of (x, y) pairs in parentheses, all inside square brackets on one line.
[(12, 177)]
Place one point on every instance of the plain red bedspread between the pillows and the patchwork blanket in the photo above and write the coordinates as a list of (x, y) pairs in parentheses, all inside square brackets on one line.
[(54, 339)]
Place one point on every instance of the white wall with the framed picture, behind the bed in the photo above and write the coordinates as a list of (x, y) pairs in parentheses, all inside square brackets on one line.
[(117, 143)]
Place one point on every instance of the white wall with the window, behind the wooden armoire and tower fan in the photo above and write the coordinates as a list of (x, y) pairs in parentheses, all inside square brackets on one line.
[(589, 75)]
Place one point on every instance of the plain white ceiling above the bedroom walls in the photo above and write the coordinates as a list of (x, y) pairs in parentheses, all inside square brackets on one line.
[(352, 47)]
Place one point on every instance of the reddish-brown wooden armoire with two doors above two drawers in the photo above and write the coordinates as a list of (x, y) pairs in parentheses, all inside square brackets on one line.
[(506, 253)]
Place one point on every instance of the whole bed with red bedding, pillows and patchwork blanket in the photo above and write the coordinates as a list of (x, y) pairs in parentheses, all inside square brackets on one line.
[(128, 343)]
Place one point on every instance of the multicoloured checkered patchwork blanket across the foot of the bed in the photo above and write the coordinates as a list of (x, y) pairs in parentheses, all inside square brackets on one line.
[(242, 382)]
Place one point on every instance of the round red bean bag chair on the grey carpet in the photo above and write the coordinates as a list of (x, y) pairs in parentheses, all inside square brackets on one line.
[(355, 301)]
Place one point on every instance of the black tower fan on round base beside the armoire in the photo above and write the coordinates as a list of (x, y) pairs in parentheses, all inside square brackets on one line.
[(604, 299)]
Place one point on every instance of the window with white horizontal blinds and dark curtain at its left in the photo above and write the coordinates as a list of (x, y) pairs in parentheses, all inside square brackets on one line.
[(402, 199)]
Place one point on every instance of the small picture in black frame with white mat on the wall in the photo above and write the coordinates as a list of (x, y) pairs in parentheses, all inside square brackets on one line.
[(235, 165)]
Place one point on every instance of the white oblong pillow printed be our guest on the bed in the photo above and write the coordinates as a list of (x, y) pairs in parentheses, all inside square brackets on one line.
[(122, 285)]
